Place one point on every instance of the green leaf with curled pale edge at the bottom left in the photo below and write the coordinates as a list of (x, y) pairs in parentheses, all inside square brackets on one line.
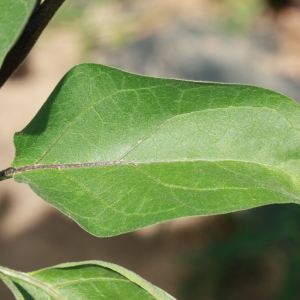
[(85, 280)]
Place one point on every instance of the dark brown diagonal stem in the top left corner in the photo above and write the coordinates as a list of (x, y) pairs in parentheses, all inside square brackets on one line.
[(39, 19)]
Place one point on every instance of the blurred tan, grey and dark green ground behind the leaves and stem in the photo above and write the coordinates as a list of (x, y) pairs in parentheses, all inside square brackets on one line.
[(248, 255)]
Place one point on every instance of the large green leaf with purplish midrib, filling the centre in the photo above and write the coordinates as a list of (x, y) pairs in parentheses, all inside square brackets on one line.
[(117, 151)]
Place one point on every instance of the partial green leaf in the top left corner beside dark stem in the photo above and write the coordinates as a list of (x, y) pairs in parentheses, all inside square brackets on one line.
[(14, 15)]
